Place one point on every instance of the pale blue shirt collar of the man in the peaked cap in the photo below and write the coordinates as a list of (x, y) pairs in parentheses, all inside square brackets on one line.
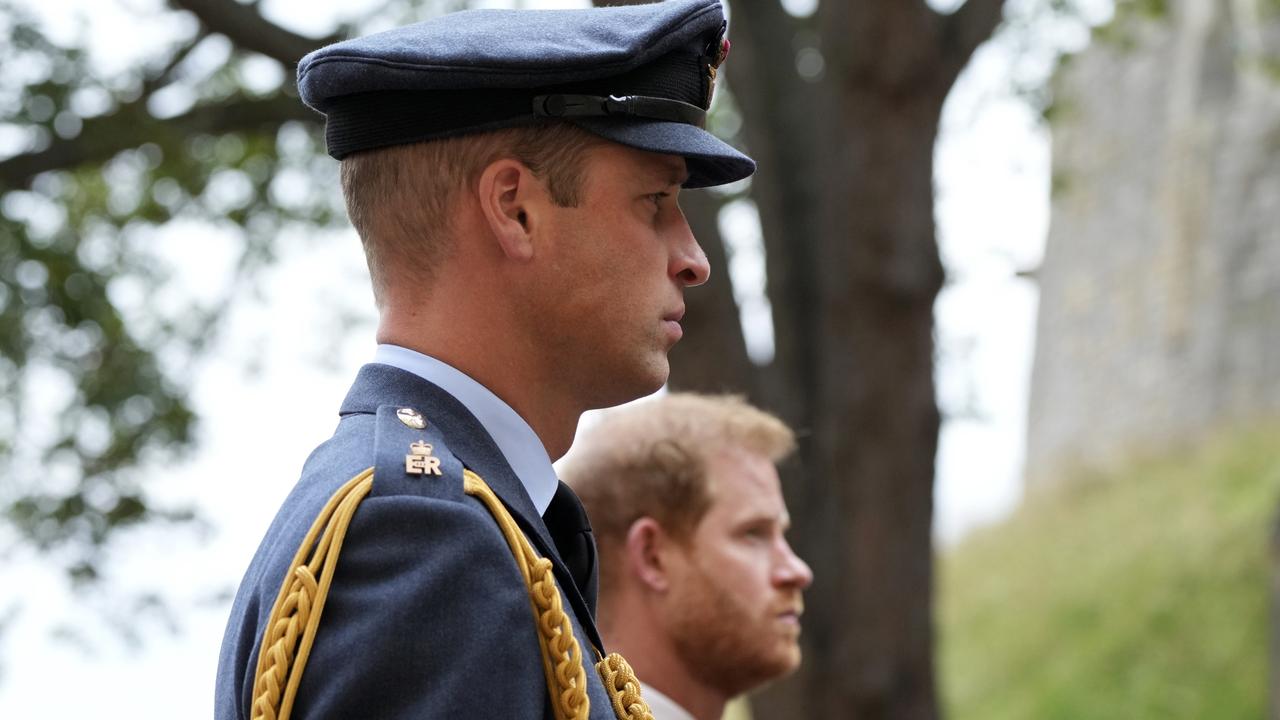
[(510, 432)]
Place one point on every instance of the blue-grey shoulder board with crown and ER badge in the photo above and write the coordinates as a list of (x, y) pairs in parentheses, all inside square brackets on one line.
[(412, 457)]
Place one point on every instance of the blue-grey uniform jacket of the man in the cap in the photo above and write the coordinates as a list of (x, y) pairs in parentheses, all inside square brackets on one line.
[(428, 616)]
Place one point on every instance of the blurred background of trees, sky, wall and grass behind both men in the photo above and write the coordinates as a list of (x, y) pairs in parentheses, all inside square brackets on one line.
[(1012, 267)]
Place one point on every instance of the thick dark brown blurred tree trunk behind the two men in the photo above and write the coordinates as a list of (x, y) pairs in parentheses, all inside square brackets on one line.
[(845, 194)]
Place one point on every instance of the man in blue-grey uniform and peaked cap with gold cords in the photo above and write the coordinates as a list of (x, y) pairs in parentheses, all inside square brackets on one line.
[(514, 177)]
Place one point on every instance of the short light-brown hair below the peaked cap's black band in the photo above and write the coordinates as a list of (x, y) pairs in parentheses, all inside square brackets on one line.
[(399, 198)]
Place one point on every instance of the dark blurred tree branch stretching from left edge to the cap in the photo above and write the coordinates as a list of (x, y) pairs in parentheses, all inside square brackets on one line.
[(132, 126)]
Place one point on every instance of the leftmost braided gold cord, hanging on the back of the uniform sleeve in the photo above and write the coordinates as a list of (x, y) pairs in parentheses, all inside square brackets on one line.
[(296, 614)]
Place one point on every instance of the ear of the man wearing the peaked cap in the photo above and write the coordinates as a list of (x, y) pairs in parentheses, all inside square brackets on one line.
[(509, 195)]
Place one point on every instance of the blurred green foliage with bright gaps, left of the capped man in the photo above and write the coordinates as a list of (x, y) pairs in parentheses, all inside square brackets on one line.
[(98, 340)]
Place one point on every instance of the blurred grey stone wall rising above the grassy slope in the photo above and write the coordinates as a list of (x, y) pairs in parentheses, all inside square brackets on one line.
[(1160, 290)]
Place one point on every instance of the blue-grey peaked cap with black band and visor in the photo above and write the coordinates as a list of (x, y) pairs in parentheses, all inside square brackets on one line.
[(641, 76)]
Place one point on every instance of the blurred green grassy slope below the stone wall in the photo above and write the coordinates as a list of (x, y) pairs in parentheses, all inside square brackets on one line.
[(1140, 596)]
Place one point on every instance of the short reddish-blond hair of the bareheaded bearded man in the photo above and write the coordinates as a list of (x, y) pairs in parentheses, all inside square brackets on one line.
[(651, 459)]
